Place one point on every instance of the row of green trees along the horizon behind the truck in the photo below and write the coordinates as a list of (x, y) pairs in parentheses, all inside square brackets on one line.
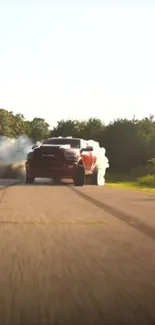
[(129, 144)]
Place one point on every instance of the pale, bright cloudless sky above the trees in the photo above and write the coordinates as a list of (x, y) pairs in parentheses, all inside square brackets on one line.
[(77, 59)]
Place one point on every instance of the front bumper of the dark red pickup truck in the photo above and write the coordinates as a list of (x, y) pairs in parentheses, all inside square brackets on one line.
[(65, 171)]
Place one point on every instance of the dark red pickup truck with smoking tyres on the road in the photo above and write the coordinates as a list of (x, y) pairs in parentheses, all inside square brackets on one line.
[(64, 157)]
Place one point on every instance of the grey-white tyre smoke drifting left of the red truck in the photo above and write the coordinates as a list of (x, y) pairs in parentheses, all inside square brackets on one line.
[(13, 154)]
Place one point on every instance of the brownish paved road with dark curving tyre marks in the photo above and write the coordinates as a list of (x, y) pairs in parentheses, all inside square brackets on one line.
[(83, 256)]
